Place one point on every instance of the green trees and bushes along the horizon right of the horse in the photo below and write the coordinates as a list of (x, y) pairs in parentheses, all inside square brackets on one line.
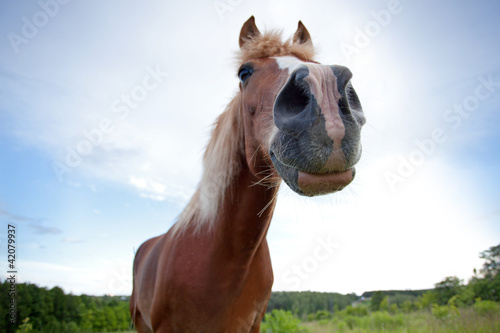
[(483, 286)]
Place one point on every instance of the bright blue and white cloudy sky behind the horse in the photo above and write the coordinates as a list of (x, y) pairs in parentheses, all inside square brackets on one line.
[(106, 108)]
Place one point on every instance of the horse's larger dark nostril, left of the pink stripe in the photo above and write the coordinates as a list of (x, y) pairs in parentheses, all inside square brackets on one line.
[(293, 98)]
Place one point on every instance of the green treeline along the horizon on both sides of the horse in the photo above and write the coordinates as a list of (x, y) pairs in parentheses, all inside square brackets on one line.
[(40, 309)]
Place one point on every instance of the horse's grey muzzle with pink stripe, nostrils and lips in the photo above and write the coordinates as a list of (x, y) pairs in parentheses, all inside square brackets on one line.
[(318, 118)]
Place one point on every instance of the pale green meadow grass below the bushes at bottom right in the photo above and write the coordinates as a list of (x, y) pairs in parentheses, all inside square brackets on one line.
[(468, 320)]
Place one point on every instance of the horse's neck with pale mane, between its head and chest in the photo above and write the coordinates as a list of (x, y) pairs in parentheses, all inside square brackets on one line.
[(229, 208)]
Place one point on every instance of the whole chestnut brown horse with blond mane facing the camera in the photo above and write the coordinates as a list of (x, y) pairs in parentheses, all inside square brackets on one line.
[(293, 119)]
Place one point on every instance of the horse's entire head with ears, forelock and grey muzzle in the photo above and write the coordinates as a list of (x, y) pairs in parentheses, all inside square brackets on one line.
[(301, 119)]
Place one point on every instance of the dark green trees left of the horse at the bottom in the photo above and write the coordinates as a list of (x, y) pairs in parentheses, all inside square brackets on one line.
[(51, 310)]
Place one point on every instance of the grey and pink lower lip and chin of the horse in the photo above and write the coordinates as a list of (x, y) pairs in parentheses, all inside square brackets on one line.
[(312, 184)]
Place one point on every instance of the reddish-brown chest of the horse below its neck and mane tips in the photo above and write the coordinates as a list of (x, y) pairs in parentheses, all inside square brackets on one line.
[(217, 294)]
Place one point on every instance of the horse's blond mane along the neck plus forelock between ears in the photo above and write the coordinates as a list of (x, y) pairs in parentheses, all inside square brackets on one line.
[(225, 150)]
